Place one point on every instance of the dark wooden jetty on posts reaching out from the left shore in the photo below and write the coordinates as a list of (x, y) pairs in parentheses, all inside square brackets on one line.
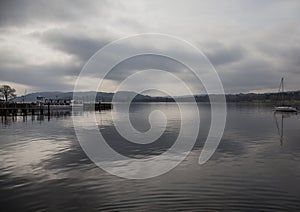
[(24, 109)]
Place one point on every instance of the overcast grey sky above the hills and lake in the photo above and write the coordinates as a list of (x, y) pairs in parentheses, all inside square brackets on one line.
[(252, 44)]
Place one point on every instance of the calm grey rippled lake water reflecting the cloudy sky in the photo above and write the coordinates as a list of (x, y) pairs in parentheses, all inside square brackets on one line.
[(256, 165)]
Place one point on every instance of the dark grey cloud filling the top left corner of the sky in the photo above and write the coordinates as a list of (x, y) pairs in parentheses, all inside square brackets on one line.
[(19, 13)]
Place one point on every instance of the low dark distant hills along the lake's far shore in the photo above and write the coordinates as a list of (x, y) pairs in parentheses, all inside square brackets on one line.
[(290, 96)]
